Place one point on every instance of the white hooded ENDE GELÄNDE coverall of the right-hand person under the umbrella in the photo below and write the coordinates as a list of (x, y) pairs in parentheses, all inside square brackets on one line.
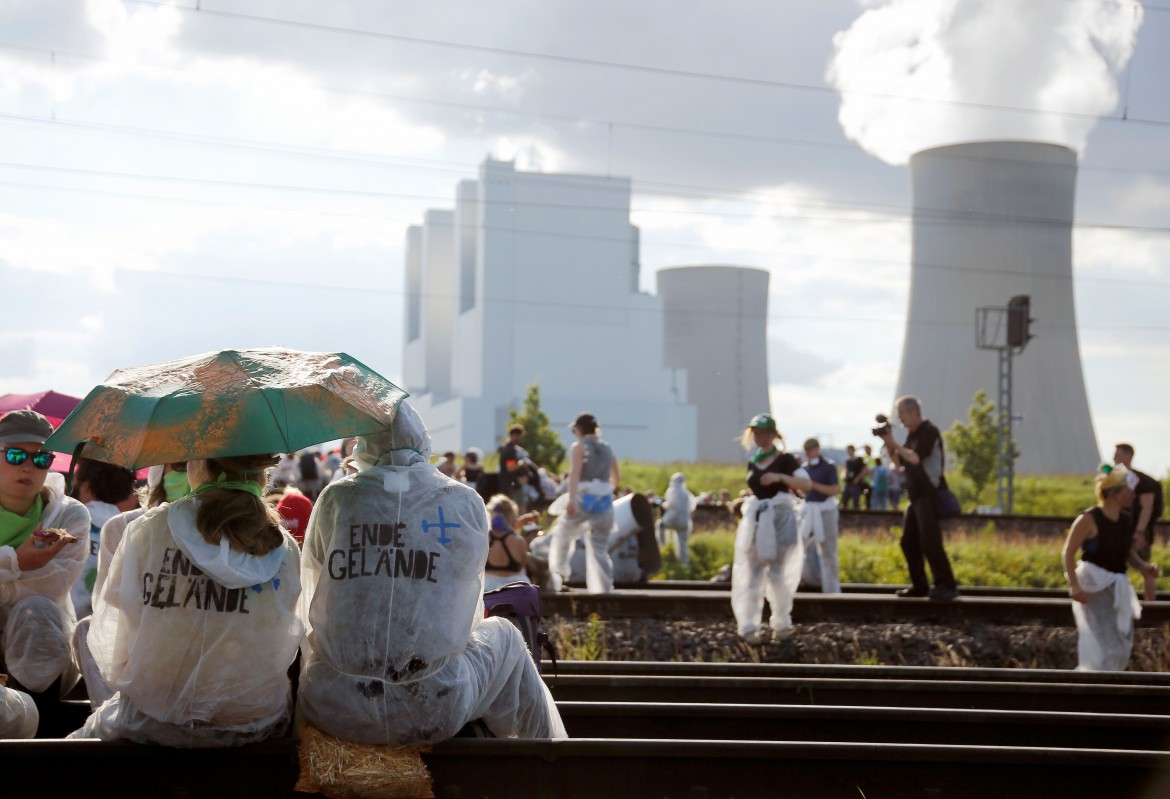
[(398, 651)]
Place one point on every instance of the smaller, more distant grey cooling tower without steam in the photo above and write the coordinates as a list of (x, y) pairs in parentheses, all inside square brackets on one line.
[(714, 327)]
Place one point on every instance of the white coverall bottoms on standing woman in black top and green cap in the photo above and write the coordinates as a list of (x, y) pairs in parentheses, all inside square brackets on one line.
[(769, 557)]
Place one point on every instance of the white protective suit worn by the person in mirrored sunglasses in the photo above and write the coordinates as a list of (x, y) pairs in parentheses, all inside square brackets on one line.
[(37, 615)]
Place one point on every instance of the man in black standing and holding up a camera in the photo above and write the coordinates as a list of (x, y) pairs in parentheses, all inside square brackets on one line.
[(923, 456)]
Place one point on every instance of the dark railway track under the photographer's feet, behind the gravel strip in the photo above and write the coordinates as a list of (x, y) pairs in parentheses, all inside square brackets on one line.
[(858, 608)]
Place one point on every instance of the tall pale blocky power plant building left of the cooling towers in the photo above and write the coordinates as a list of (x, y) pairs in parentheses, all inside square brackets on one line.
[(534, 279)]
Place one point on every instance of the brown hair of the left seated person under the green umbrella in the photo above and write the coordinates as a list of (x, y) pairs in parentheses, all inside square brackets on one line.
[(246, 521)]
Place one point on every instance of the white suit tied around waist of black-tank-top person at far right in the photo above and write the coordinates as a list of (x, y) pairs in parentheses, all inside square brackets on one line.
[(1105, 624)]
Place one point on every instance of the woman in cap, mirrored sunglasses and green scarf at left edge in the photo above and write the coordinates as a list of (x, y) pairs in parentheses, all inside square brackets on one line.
[(38, 567)]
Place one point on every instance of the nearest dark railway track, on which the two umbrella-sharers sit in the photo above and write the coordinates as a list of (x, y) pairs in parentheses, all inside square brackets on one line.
[(733, 731)]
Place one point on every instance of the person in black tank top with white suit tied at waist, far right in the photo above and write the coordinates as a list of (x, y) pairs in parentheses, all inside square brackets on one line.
[(1105, 603)]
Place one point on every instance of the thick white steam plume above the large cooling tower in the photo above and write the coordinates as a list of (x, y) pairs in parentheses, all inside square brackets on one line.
[(918, 74)]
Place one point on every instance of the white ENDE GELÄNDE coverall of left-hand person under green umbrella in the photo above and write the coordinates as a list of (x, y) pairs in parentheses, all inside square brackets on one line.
[(196, 638)]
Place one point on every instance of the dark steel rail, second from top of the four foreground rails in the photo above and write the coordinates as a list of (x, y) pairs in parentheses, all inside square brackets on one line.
[(988, 695)]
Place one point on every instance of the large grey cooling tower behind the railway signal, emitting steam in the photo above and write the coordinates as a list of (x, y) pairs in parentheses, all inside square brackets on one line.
[(993, 221)]
